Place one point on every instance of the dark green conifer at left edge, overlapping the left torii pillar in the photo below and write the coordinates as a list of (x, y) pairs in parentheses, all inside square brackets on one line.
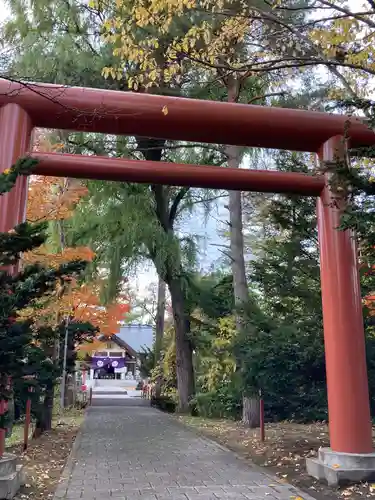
[(21, 351)]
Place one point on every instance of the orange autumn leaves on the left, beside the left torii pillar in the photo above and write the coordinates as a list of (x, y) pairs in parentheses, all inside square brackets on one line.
[(54, 199)]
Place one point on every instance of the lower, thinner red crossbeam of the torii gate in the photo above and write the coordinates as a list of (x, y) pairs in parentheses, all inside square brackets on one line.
[(116, 169)]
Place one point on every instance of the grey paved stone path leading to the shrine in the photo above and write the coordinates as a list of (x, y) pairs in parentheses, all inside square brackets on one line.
[(133, 452)]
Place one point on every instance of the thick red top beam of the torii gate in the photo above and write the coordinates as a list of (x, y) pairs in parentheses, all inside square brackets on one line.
[(129, 113)]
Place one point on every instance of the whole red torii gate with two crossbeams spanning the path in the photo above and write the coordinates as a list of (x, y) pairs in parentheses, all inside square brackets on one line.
[(24, 106)]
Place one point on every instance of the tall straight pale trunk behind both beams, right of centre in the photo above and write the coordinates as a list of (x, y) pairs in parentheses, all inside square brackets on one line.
[(250, 414)]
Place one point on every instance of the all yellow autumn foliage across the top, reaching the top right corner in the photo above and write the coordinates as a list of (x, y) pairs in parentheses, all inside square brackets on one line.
[(162, 38)]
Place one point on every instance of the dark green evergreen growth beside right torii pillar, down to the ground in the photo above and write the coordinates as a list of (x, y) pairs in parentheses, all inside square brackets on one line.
[(284, 356)]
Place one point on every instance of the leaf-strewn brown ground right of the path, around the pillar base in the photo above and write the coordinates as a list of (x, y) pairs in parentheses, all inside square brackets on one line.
[(284, 452)]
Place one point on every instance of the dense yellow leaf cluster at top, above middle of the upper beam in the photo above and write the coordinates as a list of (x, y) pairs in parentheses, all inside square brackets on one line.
[(158, 55)]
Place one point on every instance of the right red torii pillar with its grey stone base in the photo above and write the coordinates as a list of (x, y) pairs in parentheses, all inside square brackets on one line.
[(350, 457)]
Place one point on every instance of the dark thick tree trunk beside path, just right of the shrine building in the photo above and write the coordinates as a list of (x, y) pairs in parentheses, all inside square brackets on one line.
[(184, 350)]
